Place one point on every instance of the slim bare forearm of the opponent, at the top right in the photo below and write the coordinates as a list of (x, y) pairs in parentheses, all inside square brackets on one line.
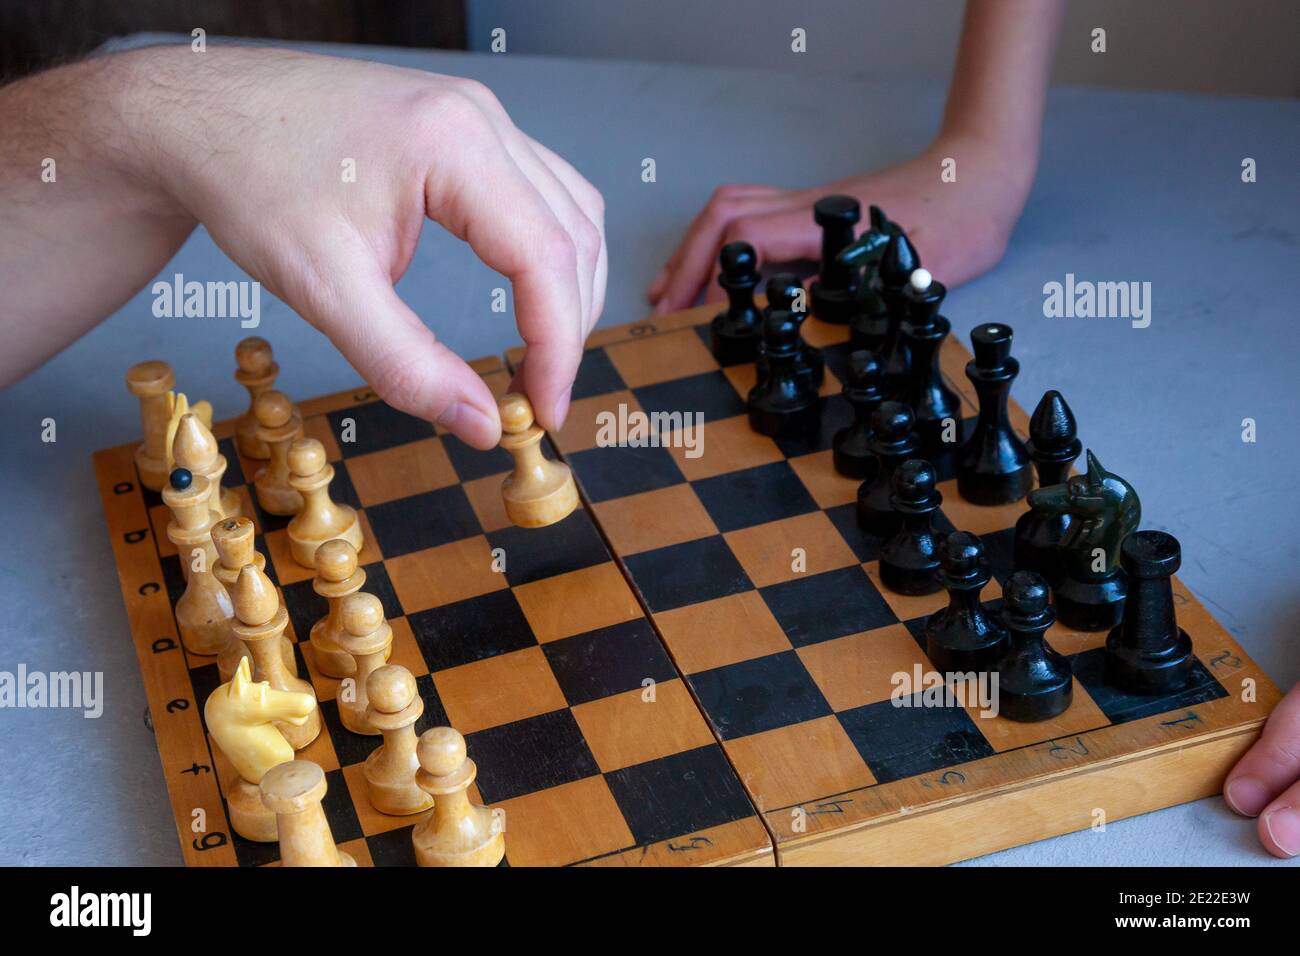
[(1000, 81)]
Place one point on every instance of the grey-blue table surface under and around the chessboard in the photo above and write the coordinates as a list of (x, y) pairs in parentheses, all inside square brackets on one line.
[(1133, 187)]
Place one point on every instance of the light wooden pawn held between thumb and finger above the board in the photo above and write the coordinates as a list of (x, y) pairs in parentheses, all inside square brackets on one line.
[(539, 492)]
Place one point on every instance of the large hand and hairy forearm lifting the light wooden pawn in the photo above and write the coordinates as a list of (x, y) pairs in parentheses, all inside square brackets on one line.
[(250, 142)]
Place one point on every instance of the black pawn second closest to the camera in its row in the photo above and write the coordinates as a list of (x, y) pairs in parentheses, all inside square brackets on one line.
[(964, 638)]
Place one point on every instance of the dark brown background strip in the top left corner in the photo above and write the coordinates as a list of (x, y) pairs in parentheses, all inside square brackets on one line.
[(36, 34)]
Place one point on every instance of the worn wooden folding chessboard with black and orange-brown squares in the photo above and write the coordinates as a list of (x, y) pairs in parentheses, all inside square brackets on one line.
[(770, 737)]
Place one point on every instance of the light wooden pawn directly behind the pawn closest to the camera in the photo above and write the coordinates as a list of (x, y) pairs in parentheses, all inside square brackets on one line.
[(395, 707)]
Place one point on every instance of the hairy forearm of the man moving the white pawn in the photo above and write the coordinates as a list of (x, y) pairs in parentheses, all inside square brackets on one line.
[(84, 220)]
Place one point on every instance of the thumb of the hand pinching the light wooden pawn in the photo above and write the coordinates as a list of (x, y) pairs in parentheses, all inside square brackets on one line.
[(401, 360)]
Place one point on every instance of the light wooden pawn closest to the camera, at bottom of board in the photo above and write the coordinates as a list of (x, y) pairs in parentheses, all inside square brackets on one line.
[(458, 833)]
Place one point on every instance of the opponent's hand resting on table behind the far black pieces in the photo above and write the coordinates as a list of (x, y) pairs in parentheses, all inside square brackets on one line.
[(961, 228)]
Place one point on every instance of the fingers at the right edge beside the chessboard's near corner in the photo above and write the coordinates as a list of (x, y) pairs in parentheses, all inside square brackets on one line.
[(1266, 784)]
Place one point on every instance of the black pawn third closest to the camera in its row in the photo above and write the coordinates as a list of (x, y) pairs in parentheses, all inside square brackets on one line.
[(909, 563)]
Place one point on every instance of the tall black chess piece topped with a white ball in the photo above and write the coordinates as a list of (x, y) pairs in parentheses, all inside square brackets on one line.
[(938, 409)]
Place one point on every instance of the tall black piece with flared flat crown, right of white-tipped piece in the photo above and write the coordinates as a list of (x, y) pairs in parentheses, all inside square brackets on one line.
[(994, 465)]
